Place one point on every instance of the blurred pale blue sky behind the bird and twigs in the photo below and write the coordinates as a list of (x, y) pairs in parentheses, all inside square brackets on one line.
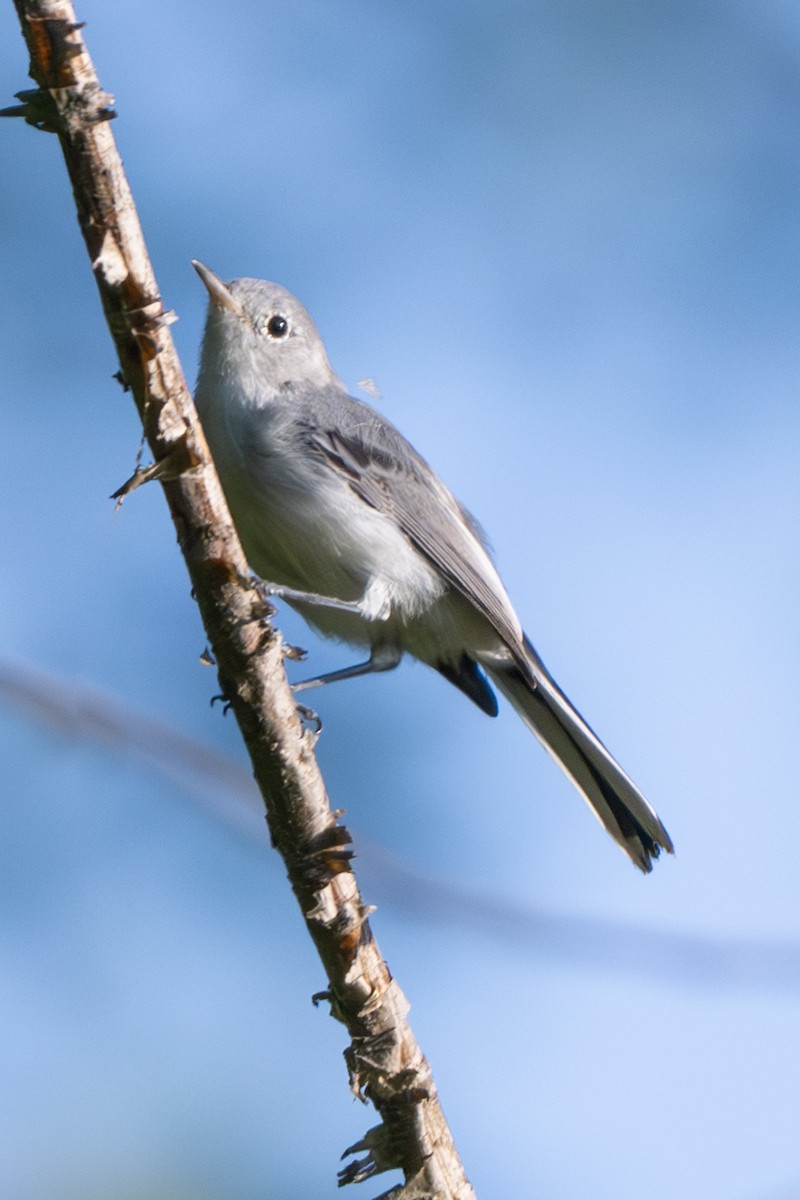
[(563, 239)]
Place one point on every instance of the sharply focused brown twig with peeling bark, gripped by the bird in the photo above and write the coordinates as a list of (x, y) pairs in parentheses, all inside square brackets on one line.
[(384, 1060)]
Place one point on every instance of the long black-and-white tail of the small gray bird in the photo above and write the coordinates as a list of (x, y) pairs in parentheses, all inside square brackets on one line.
[(615, 799)]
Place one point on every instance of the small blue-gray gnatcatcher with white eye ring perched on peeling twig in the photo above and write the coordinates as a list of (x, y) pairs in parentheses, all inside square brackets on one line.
[(353, 529)]
